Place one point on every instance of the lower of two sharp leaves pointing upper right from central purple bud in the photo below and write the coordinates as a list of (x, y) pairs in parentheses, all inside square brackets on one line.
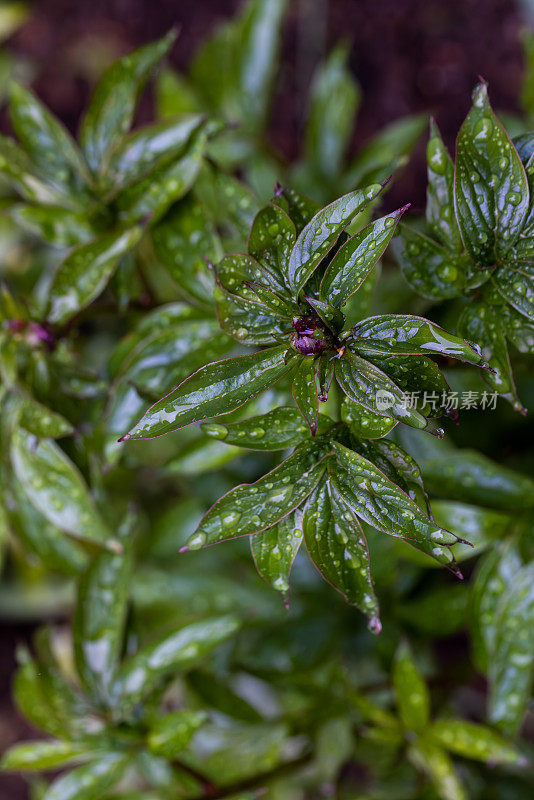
[(355, 259)]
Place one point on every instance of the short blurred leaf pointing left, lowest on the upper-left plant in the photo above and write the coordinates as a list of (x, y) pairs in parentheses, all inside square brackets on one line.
[(56, 225)]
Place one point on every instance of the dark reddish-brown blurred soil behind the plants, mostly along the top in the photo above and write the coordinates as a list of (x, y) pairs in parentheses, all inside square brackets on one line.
[(408, 56)]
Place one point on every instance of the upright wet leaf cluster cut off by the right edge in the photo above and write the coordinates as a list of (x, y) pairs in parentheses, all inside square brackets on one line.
[(478, 241)]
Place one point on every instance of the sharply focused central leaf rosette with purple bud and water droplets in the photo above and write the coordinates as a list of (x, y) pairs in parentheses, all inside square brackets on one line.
[(302, 268)]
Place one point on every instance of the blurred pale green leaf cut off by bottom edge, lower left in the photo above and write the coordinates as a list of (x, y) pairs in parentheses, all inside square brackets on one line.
[(90, 781)]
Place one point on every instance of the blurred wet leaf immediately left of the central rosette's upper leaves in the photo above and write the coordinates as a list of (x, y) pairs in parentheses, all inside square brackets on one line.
[(183, 239)]
